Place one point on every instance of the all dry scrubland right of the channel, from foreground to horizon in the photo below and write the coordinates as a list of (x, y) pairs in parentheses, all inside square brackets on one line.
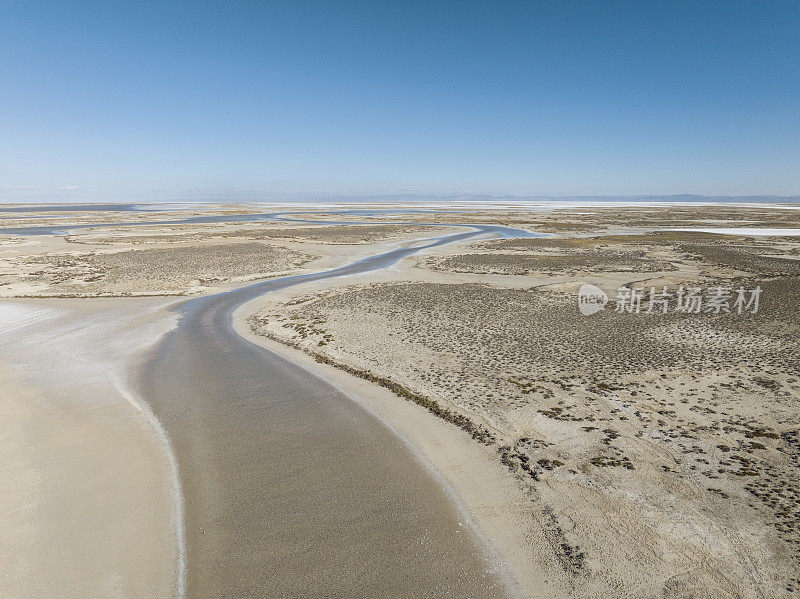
[(661, 452)]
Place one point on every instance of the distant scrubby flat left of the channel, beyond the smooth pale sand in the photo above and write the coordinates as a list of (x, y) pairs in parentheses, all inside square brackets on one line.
[(179, 259)]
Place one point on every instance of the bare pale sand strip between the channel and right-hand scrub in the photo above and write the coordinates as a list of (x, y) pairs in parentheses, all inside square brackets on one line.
[(467, 470)]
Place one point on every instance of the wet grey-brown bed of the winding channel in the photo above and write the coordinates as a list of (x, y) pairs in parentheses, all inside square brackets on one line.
[(291, 488)]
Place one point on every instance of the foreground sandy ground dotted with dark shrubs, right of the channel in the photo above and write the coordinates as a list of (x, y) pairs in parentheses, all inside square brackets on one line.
[(614, 422)]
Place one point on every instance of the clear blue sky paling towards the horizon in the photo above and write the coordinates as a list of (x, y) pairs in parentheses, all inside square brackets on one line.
[(160, 100)]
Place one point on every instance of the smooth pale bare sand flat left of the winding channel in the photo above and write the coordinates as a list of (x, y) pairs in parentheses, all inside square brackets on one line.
[(87, 484)]
